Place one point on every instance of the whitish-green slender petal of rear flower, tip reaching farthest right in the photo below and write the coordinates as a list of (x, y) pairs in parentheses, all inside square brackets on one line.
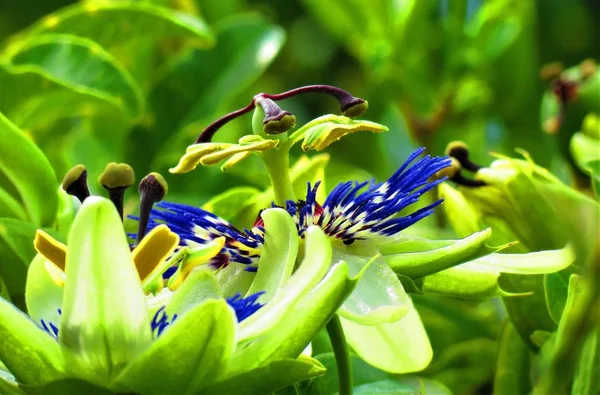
[(532, 263)]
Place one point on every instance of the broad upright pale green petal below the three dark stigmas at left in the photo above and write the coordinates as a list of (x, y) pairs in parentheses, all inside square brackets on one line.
[(105, 321)]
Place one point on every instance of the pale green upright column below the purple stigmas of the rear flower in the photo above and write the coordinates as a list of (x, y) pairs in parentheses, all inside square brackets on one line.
[(276, 161)]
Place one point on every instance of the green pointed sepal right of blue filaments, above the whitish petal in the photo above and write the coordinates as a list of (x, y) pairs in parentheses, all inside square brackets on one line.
[(419, 264)]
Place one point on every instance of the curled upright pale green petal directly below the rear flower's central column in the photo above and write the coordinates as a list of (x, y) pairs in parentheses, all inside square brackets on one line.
[(278, 254)]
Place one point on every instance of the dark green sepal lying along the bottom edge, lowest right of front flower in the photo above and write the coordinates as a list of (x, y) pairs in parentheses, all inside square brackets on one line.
[(270, 377)]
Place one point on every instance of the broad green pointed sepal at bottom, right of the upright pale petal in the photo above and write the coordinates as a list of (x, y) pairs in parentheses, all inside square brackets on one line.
[(189, 355)]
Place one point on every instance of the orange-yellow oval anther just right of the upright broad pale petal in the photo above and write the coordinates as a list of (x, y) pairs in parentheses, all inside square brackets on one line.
[(154, 248)]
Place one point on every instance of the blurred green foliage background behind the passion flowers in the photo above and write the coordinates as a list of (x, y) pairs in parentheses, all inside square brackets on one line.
[(94, 82)]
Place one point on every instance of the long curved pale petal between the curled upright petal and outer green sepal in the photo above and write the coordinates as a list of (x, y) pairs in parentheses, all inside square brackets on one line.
[(314, 266)]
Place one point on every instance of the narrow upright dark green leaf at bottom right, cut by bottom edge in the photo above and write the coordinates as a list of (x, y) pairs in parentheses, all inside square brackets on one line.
[(512, 364)]
